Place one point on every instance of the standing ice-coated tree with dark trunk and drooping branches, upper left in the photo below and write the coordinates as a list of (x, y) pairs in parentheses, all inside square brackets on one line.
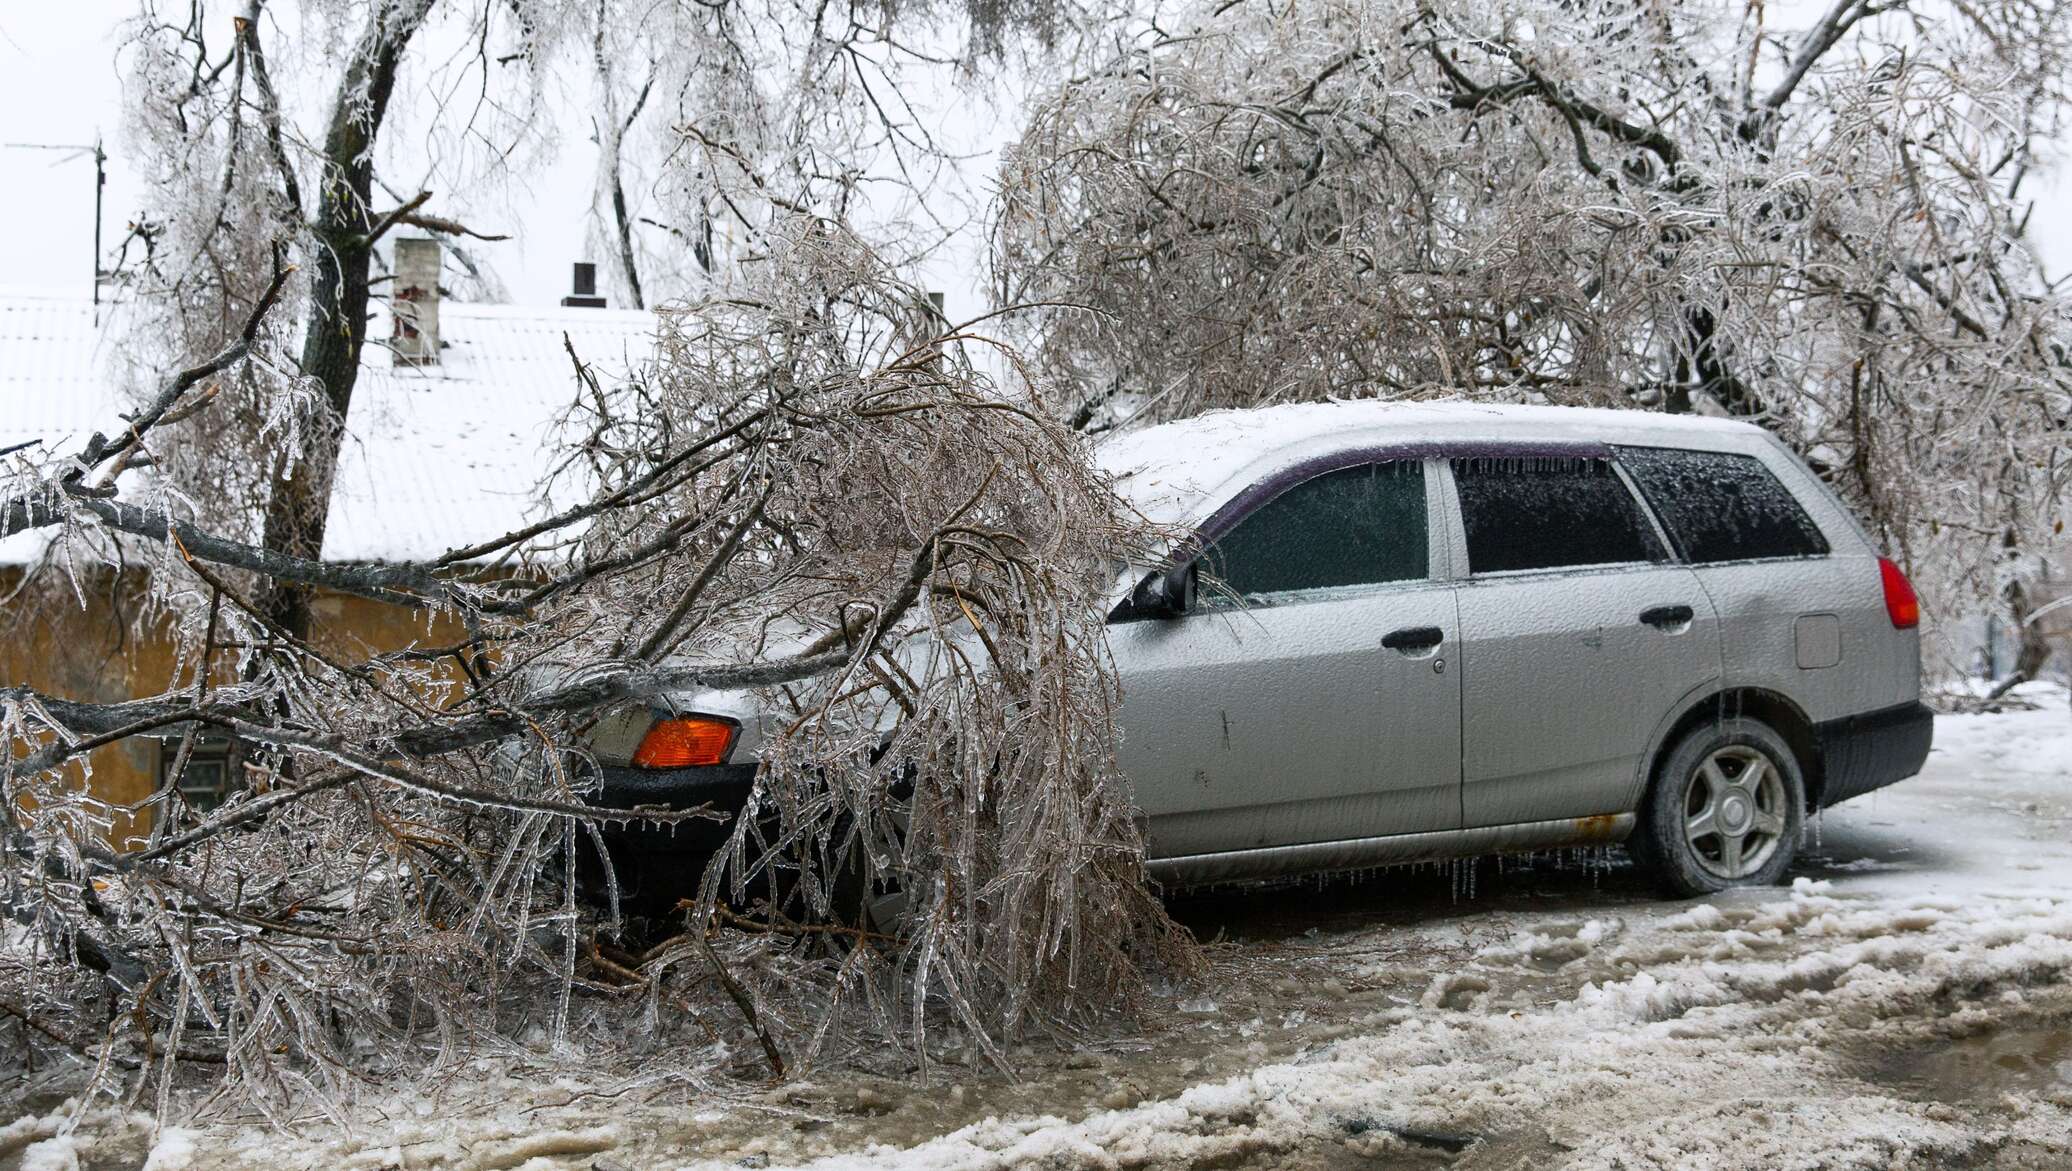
[(757, 111)]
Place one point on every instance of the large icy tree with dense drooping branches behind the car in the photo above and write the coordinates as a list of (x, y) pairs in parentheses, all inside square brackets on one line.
[(1619, 204)]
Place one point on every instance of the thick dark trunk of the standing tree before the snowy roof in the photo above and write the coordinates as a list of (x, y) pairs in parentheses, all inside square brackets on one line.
[(339, 270)]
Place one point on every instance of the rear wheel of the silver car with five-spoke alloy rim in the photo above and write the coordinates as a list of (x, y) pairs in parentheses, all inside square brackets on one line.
[(1725, 811)]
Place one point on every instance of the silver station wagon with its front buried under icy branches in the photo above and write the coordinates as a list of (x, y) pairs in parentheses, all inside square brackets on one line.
[(1406, 633)]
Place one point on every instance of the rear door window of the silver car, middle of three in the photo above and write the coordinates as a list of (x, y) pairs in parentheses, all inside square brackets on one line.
[(1541, 513)]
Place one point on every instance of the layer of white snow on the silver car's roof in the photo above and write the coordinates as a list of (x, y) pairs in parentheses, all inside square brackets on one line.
[(1176, 474)]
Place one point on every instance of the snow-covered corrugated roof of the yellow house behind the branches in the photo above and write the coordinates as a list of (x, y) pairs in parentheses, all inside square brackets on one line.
[(436, 457)]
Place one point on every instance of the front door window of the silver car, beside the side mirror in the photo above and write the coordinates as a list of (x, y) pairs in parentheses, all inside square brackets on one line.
[(1352, 527)]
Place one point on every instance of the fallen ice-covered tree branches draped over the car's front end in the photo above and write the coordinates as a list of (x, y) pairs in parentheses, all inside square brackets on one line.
[(811, 494)]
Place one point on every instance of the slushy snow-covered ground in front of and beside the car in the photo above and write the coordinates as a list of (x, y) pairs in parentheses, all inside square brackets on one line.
[(1907, 1002)]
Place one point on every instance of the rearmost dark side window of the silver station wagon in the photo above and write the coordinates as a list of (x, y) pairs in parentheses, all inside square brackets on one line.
[(1721, 507)]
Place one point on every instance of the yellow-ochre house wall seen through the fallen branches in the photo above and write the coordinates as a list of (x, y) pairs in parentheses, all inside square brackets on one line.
[(103, 650)]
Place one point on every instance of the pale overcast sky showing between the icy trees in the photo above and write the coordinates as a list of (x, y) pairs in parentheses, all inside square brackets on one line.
[(59, 86)]
